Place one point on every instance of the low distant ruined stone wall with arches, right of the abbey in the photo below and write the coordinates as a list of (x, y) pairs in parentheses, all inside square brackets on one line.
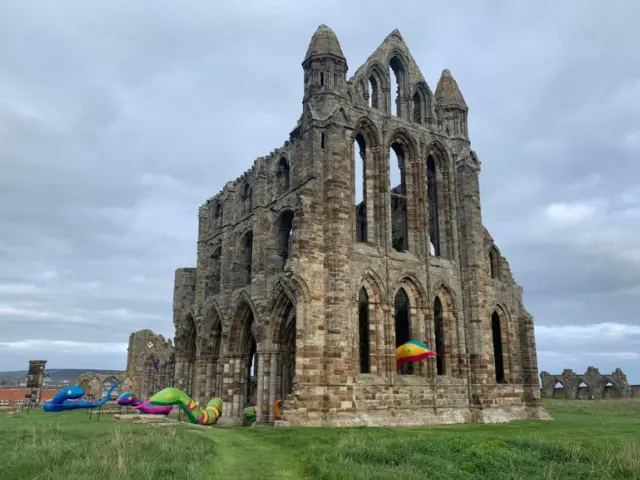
[(591, 385)]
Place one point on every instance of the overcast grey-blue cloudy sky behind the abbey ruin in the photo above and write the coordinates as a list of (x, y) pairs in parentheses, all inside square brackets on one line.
[(118, 119)]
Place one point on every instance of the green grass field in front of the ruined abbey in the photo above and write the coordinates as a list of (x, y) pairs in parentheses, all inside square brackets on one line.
[(587, 440)]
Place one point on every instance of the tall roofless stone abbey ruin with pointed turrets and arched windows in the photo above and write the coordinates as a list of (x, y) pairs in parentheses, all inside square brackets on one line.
[(312, 266)]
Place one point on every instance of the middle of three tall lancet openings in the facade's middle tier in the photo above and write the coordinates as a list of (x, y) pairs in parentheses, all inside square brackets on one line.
[(399, 217)]
